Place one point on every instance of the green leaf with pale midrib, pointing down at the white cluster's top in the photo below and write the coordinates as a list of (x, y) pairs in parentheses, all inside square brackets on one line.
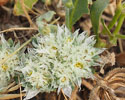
[(80, 7)]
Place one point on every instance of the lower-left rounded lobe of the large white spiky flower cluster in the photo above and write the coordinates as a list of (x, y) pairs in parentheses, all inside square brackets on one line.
[(36, 73)]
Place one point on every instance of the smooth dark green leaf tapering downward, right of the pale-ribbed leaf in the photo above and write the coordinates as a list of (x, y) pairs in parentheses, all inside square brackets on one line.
[(95, 13)]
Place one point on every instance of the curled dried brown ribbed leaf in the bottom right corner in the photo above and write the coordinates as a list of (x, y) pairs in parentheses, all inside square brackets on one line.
[(112, 87)]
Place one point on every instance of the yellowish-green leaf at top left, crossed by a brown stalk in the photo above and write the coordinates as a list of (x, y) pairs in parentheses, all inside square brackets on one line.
[(18, 10)]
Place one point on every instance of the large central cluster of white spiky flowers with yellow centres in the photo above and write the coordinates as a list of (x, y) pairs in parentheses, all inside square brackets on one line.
[(59, 61)]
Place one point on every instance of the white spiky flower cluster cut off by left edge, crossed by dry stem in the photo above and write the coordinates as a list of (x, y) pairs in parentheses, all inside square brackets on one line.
[(7, 68)]
